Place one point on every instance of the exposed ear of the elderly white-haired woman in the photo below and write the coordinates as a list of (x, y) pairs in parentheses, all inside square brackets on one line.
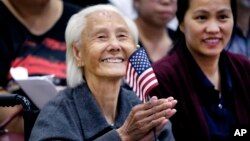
[(77, 54)]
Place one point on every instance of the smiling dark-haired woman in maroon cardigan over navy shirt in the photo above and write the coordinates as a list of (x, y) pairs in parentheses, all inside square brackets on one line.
[(211, 84)]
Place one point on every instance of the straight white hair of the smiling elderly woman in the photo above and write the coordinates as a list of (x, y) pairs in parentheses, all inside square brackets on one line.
[(74, 29)]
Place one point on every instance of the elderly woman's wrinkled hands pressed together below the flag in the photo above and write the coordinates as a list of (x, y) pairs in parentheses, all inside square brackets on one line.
[(147, 117)]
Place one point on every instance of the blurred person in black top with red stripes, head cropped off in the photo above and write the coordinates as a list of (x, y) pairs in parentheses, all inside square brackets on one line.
[(32, 36)]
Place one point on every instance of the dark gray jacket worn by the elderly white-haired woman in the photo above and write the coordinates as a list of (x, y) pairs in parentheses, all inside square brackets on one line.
[(75, 115)]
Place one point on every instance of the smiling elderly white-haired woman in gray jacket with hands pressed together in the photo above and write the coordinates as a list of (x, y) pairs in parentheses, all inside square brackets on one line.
[(95, 107)]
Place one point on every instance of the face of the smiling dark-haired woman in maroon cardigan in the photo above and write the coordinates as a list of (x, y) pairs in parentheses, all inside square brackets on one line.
[(207, 26)]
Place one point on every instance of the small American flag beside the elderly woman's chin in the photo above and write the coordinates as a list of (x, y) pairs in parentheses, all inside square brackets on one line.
[(140, 75)]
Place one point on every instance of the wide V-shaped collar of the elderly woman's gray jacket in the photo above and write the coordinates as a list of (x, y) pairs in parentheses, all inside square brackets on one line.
[(92, 120)]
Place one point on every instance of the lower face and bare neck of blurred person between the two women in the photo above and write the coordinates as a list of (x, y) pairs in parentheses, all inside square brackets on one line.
[(154, 36)]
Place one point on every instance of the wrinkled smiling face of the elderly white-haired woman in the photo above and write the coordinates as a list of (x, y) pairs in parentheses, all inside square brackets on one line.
[(106, 45)]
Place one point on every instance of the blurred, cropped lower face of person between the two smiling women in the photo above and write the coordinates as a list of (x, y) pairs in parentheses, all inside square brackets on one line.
[(156, 12)]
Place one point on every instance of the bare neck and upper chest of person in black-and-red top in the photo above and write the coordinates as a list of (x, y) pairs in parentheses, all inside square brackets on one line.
[(38, 17)]
